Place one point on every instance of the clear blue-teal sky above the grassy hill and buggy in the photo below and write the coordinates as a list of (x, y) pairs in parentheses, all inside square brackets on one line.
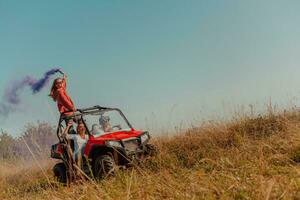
[(161, 61)]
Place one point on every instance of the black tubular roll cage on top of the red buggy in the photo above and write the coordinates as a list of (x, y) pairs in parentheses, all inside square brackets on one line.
[(79, 113)]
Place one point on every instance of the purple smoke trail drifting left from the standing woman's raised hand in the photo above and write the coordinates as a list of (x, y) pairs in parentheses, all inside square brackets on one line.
[(11, 97)]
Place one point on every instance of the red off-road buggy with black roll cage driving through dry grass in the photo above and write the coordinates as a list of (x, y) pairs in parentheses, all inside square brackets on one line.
[(118, 145)]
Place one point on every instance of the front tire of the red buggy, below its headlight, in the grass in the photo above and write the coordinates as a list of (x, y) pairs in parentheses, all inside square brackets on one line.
[(104, 166)]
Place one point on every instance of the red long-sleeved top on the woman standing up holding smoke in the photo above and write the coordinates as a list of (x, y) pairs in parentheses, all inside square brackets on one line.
[(64, 102)]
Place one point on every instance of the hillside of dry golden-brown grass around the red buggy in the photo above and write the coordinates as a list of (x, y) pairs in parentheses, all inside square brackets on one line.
[(247, 158)]
